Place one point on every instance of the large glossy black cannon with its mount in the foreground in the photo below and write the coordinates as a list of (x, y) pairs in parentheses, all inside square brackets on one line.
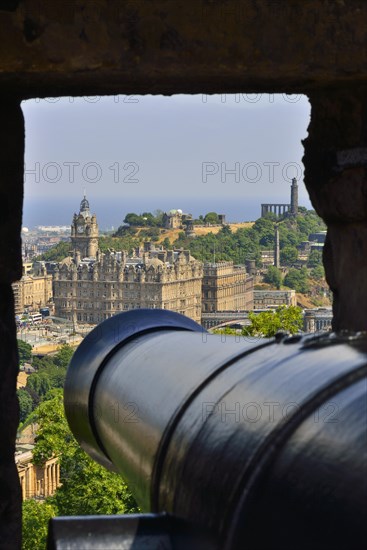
[(225, 442)]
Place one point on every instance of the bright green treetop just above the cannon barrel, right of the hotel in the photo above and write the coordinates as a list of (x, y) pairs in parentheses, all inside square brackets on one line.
[(268, 323)]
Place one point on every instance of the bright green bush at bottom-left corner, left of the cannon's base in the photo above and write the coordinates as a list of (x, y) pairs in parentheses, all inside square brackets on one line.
[(35, 523)]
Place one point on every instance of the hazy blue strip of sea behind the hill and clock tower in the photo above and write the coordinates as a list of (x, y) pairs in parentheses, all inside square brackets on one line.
[(111, 211)]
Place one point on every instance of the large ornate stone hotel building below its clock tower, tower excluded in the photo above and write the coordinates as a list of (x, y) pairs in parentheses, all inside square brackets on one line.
[(91, 291)]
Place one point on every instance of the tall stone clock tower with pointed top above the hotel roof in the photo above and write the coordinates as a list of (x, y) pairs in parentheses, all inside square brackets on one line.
[(84, 231)]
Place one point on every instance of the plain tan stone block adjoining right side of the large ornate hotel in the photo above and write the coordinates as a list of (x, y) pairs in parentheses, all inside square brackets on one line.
[(226, 287)]
